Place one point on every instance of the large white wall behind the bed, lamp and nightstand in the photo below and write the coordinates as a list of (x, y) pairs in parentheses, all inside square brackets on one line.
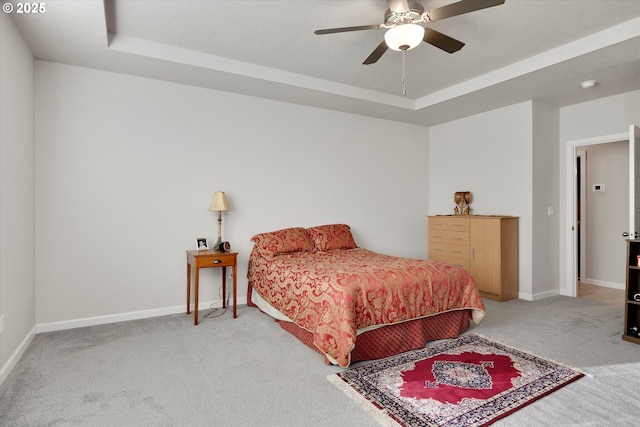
[(126, 168)]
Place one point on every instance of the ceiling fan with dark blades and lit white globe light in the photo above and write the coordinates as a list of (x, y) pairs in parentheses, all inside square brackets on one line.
[(404, 32)]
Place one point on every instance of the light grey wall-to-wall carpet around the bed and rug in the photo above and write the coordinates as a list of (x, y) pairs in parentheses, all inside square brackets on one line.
[(248, 372)]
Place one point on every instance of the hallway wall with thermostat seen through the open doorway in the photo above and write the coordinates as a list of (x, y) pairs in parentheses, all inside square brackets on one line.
[(607, 213)]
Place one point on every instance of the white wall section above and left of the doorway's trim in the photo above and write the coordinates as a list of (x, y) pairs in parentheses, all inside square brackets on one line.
[(587, 121)]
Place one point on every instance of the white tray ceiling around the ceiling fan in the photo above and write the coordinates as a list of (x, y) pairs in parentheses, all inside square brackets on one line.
[(521, 50)]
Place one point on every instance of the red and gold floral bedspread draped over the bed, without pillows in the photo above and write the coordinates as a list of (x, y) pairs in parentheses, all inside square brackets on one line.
[(333, 294)]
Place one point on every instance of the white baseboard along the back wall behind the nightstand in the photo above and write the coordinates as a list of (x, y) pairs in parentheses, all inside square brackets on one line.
[(123, 317)]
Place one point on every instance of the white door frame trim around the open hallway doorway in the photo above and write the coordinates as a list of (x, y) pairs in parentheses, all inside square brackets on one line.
[(569, 286)]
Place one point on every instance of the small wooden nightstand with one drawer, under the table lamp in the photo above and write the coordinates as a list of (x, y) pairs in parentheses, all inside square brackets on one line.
[(210, 259)]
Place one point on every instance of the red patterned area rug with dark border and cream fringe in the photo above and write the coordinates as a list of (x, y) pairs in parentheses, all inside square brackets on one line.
[(467, 381)]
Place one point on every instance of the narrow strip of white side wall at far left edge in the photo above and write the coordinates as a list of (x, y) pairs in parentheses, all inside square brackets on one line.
[(17, 278)]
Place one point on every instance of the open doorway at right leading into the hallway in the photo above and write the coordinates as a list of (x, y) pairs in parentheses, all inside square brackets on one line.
[(601, 208)]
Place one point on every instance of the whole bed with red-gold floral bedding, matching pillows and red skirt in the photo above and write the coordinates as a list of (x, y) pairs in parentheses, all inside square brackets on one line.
[(349, 303)]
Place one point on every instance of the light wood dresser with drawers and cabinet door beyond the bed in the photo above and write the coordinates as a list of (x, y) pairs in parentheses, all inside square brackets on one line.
[(485, 246)]
